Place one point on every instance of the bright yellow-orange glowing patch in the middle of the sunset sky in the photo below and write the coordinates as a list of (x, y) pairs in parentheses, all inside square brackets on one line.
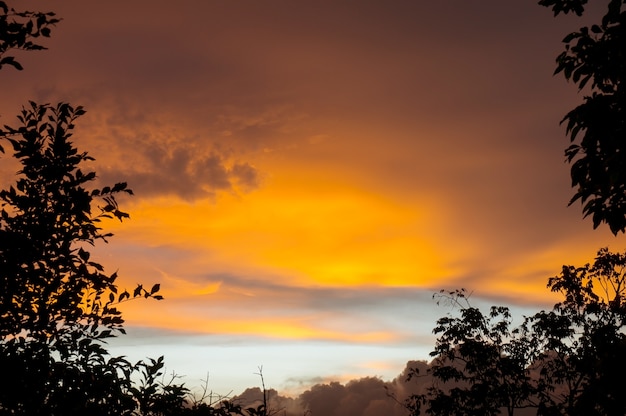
[(317, 234)]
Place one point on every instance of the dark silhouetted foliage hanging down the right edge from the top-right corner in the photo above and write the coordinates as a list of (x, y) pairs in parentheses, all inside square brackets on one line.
[(594, 57)]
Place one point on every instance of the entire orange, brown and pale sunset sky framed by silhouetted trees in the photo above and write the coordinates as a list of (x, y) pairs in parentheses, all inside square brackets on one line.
[(308, 174)]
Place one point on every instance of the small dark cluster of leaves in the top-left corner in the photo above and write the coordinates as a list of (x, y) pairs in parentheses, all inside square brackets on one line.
[(18, 31)]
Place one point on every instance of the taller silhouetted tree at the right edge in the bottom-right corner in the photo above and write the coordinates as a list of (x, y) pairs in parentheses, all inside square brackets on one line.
[(583, 340)]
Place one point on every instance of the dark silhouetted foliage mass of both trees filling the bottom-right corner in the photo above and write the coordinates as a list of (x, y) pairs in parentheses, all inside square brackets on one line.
[(560, 362)]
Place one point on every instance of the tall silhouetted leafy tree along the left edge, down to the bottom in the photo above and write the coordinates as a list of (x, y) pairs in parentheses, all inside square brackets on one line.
[(57, 305)]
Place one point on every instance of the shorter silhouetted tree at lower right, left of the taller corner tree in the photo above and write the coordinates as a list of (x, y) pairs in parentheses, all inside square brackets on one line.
[(480, 366)]
